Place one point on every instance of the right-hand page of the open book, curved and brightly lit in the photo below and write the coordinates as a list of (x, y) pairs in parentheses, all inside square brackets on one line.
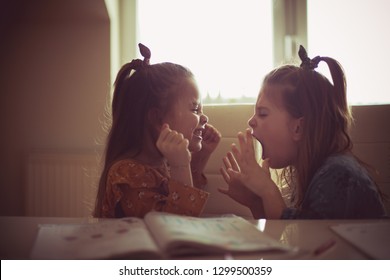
[(178, 235)]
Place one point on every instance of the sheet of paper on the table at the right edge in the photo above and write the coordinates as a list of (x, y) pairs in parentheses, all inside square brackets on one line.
[(371, 238)]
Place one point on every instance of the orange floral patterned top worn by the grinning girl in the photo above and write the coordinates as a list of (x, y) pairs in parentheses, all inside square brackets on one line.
[(134, 189)]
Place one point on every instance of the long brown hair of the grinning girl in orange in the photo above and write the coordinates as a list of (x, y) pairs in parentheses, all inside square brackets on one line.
[(150, 86)]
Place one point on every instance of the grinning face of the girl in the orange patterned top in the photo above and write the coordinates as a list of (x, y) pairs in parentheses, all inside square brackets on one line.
[(186, 115)]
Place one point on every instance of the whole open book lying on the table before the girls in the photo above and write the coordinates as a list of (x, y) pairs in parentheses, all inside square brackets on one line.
[(157, 236)]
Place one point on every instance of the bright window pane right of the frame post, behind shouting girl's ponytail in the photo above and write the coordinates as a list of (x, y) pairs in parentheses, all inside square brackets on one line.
[(355, 33)]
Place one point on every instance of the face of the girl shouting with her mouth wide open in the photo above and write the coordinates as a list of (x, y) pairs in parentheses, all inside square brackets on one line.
[(275, 129)]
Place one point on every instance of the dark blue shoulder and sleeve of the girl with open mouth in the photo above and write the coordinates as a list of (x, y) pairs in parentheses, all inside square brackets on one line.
[(340, 187)]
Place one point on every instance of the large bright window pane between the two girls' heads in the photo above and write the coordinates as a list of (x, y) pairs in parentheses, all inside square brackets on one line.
[(226, 43)]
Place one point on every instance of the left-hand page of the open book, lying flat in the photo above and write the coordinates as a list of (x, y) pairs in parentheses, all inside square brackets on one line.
[(116, 238)]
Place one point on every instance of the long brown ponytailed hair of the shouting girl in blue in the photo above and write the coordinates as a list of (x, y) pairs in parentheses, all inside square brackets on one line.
[(327, 118)]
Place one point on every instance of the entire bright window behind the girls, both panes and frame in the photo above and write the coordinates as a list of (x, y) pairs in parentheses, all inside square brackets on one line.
[(230, 45)]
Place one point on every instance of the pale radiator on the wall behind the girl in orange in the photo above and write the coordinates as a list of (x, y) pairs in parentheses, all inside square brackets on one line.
[(61, 184)]
